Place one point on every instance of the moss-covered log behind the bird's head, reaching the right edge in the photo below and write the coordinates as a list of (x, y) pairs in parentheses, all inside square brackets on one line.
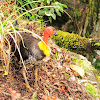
[(75, 42)]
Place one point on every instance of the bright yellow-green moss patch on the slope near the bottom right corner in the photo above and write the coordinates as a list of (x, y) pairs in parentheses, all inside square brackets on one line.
[(91, 89)]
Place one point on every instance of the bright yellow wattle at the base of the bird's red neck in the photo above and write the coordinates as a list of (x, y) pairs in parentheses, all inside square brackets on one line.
[(44, 48)]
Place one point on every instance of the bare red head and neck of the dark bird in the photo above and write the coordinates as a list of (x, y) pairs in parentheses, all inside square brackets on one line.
[(49, 31)]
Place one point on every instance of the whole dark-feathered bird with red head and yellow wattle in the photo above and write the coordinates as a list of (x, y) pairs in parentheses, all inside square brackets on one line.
[(33, 49)]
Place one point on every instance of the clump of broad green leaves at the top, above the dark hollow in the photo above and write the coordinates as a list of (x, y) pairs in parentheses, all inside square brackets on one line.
[(46, 8)]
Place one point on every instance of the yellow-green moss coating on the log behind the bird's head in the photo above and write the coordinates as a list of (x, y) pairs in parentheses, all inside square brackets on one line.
[(70, 41)]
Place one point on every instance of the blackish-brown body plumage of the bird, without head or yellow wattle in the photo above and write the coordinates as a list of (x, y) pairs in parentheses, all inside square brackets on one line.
[(29, 48)]
